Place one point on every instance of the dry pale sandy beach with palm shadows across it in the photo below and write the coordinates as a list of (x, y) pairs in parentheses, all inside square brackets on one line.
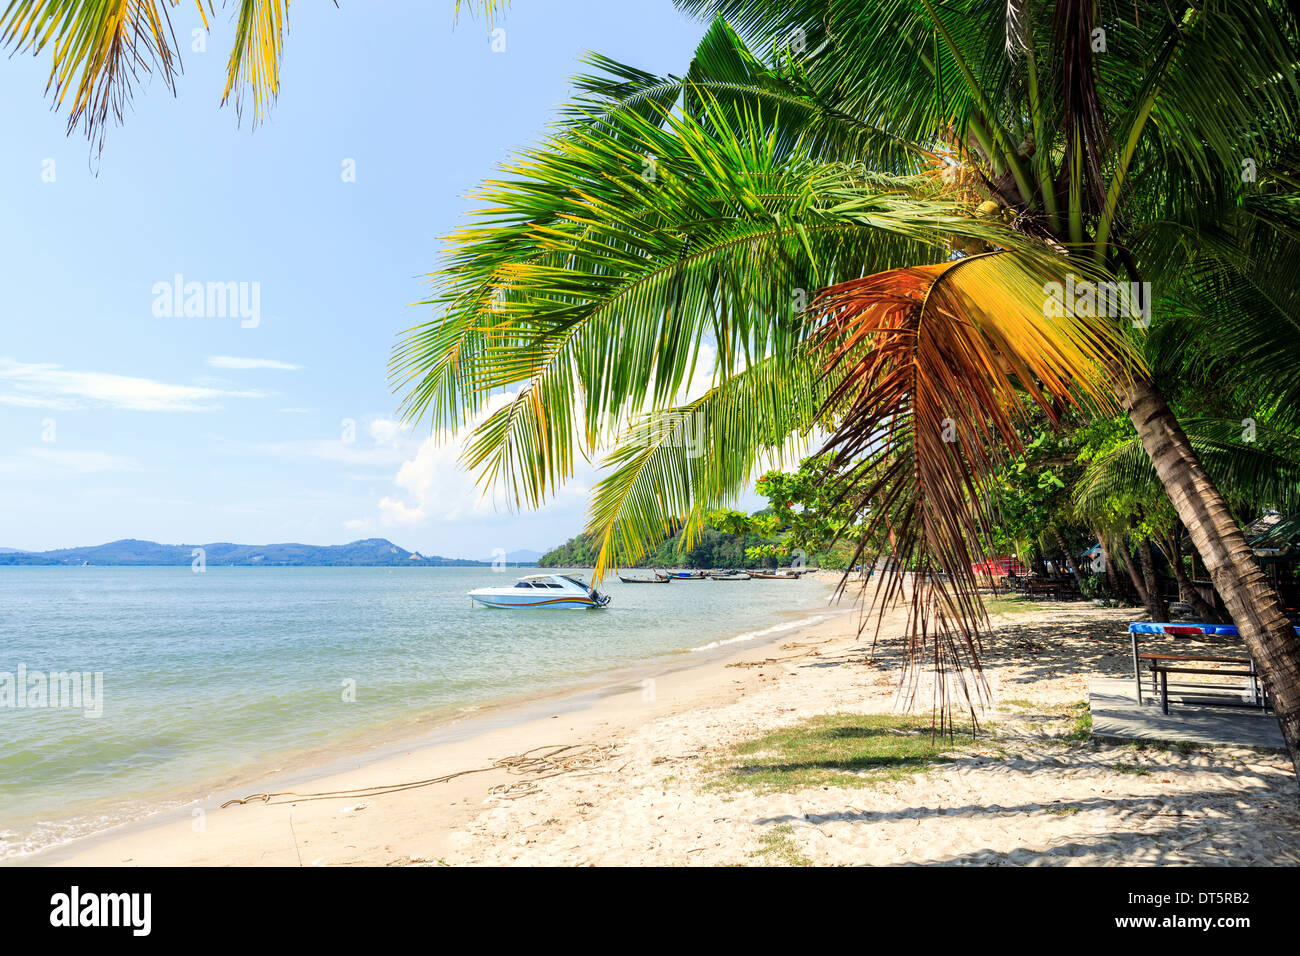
[(649, 775)]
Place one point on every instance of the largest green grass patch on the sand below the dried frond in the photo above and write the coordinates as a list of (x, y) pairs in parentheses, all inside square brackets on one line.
[(840, 751)]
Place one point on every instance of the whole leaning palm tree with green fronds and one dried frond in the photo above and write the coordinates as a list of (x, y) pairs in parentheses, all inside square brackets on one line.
[(668, 213)]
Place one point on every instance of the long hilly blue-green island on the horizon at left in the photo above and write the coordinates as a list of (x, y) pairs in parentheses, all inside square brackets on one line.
[(372, 552)]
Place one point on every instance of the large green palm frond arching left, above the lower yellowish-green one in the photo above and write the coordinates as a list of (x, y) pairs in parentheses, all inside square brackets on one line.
[(595, 284)]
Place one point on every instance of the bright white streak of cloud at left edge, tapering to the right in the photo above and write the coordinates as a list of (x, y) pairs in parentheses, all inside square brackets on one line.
[(53, 387)]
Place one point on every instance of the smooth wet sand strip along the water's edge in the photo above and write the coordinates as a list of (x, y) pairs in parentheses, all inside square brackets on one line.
[(376, 752)]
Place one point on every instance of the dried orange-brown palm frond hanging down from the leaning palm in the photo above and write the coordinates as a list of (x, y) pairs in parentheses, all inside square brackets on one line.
[(933, 364)]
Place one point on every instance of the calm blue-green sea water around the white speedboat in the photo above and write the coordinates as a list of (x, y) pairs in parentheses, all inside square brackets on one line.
[(214, 678)]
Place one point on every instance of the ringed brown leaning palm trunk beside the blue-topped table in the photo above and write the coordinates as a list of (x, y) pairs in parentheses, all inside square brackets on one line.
[(1253, 604)]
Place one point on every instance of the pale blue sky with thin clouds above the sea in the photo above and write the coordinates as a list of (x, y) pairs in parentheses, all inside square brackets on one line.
[(119, 421)]
